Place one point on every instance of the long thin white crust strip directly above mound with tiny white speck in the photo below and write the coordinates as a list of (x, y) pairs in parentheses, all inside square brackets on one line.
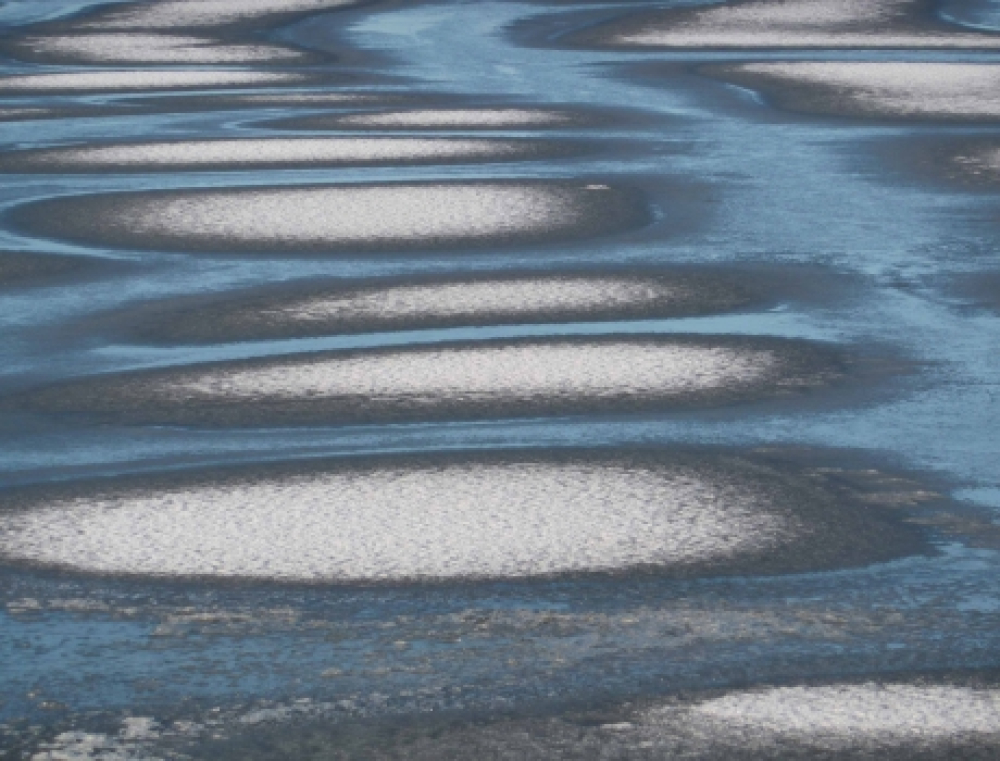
[(248, 152)]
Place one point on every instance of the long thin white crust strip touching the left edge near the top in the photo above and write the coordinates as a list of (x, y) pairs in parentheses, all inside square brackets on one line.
[(144, 80)]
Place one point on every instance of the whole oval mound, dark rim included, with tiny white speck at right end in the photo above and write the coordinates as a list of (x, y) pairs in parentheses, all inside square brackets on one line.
[(331, 218)]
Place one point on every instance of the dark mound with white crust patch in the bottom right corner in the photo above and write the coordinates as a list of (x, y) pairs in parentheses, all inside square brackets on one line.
[(898, 717)]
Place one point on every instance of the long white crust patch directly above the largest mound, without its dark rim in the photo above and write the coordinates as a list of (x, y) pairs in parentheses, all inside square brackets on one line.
[(476, 375)]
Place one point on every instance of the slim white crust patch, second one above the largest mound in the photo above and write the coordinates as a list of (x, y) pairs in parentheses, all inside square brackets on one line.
[(510, 297)]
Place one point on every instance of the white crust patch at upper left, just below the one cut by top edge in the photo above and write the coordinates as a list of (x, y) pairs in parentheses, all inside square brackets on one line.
[(153, 48)]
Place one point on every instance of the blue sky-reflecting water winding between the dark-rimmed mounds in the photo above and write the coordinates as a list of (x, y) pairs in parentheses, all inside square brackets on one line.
[(781, 189)]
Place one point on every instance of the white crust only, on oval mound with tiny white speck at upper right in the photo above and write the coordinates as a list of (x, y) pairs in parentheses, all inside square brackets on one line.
[(370, 214)]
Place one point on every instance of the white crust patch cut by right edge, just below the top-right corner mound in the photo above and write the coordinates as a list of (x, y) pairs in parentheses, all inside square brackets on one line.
[(896, 88)]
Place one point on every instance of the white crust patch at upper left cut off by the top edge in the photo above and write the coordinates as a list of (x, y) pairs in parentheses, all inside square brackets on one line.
[(171, 14)]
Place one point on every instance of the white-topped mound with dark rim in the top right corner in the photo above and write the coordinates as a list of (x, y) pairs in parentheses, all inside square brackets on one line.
[(790, 24)]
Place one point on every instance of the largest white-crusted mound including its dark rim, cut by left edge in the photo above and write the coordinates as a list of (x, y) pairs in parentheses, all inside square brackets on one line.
[(453, 516)]
